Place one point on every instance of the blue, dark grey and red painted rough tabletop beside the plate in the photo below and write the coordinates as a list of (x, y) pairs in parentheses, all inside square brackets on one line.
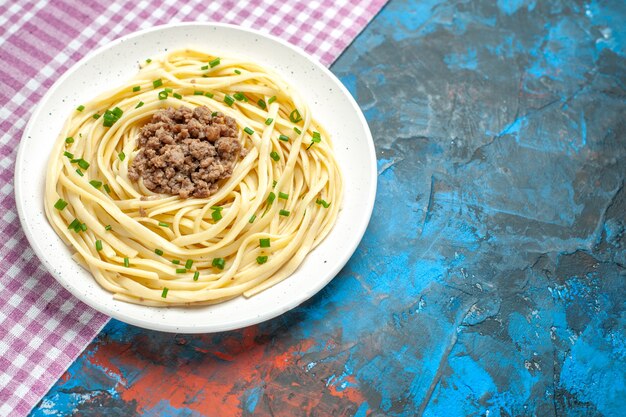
[(491, 280)]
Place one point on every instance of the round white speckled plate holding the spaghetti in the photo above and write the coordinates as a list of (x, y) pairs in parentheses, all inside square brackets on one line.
[(109, 66)]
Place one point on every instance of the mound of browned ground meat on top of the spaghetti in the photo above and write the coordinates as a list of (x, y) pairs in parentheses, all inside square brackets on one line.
[(186, 152)]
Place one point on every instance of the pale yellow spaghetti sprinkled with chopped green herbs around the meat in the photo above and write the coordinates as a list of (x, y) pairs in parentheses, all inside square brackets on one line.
[(279, 203)]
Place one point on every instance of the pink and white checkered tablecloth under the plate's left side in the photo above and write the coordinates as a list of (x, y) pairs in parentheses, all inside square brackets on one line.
[(42, 327)]
